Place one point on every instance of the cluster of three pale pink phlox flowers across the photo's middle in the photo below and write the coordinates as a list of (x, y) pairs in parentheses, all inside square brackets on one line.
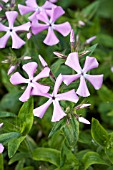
[(34, 88)]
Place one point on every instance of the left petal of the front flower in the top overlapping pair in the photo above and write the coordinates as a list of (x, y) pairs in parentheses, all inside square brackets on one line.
[(39, 28)]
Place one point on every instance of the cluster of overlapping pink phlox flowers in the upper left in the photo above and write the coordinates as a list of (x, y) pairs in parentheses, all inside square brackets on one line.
[(47, 13)]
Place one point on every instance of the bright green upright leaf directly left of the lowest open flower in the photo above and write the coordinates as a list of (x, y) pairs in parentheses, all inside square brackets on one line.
[(26, 116)]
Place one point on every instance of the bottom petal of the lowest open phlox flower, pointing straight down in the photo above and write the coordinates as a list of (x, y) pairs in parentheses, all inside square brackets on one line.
[(58, 113)]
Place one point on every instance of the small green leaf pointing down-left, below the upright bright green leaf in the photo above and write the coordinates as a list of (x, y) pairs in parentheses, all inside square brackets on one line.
[(13, 145)]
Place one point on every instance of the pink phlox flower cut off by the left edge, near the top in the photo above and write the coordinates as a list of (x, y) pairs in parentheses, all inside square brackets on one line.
[(11, 31)]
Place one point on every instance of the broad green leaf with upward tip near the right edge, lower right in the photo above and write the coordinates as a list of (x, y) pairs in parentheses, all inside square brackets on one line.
[(99, 134)]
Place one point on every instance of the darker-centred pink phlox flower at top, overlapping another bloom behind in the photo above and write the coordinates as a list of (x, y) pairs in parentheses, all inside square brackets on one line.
[(63, 28)]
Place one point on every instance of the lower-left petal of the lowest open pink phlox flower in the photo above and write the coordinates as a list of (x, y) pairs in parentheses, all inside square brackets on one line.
[(40, 111)]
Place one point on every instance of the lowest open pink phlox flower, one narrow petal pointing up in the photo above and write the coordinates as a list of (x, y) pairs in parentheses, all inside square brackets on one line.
[(54, 98)]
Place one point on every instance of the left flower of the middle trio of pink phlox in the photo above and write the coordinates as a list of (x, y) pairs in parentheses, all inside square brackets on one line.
[(30, 69)]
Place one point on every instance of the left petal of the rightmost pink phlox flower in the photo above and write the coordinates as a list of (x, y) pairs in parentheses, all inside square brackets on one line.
[(67, 79)]
